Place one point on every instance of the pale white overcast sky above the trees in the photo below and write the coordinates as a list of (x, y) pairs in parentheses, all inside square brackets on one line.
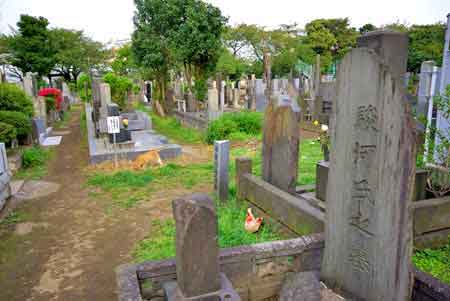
[(107, 20)]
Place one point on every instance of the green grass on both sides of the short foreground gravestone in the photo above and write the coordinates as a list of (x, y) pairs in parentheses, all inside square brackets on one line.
[(231, 217)]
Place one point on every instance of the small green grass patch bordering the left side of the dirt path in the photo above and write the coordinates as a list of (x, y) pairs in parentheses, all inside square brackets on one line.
[(35, 160)]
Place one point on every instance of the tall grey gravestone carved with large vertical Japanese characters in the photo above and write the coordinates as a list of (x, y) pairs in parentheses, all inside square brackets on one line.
[(368, 231)]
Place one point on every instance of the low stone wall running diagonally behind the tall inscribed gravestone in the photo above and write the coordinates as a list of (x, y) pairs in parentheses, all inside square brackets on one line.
[(304, 214)]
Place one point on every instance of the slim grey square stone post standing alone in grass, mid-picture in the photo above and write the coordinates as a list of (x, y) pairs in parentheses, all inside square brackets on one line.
[(221, 174)]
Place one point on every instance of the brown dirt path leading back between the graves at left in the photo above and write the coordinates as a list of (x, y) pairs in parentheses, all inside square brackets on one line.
[(70, 245)]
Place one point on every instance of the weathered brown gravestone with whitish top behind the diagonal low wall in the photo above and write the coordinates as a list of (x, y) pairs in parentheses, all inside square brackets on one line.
[(281, 140)]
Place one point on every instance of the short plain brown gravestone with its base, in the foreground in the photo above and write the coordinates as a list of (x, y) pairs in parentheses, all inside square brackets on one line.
[(197, 258)]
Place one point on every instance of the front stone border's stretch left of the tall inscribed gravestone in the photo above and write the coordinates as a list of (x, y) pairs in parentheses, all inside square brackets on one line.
[(261, 266)]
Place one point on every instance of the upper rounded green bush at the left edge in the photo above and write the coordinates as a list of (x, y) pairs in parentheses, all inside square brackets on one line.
[(12, 98)]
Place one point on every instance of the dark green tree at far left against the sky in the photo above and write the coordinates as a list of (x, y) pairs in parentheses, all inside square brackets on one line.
[(31, 49)]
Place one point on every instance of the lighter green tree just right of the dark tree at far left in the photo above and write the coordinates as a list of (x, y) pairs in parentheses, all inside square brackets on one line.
[(74, 53)]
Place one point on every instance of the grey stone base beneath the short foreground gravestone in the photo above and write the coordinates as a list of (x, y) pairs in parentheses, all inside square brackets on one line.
[(173, 293)]
